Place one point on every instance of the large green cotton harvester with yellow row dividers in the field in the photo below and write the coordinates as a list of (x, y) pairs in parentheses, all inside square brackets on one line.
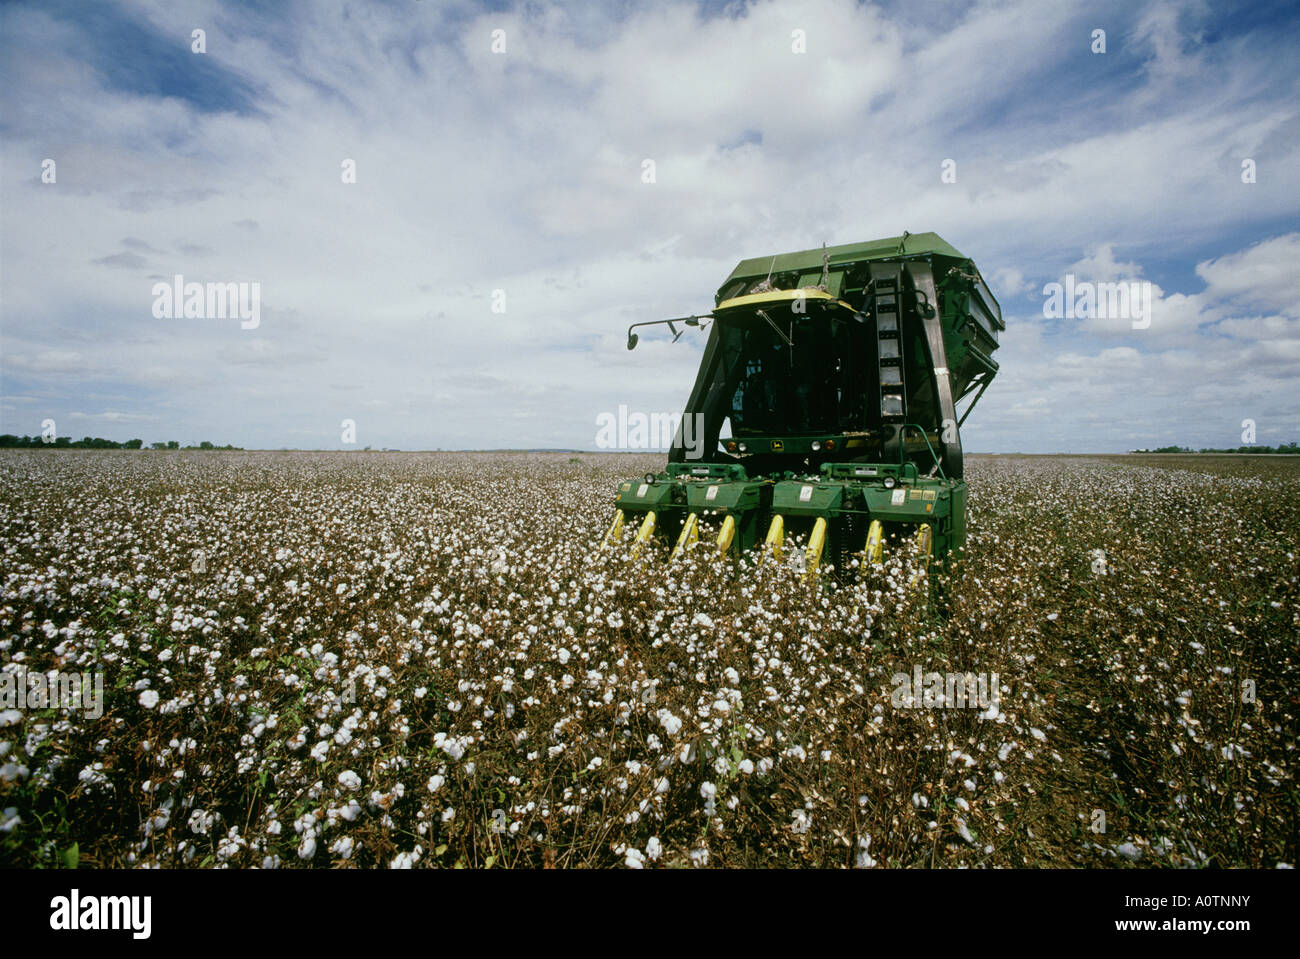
[(839, 372)]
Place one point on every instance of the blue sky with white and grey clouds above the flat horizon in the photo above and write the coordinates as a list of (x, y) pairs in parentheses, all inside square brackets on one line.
[(521, 171)]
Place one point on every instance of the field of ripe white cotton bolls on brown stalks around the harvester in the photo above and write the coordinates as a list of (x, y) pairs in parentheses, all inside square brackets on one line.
[(395, 661)]
